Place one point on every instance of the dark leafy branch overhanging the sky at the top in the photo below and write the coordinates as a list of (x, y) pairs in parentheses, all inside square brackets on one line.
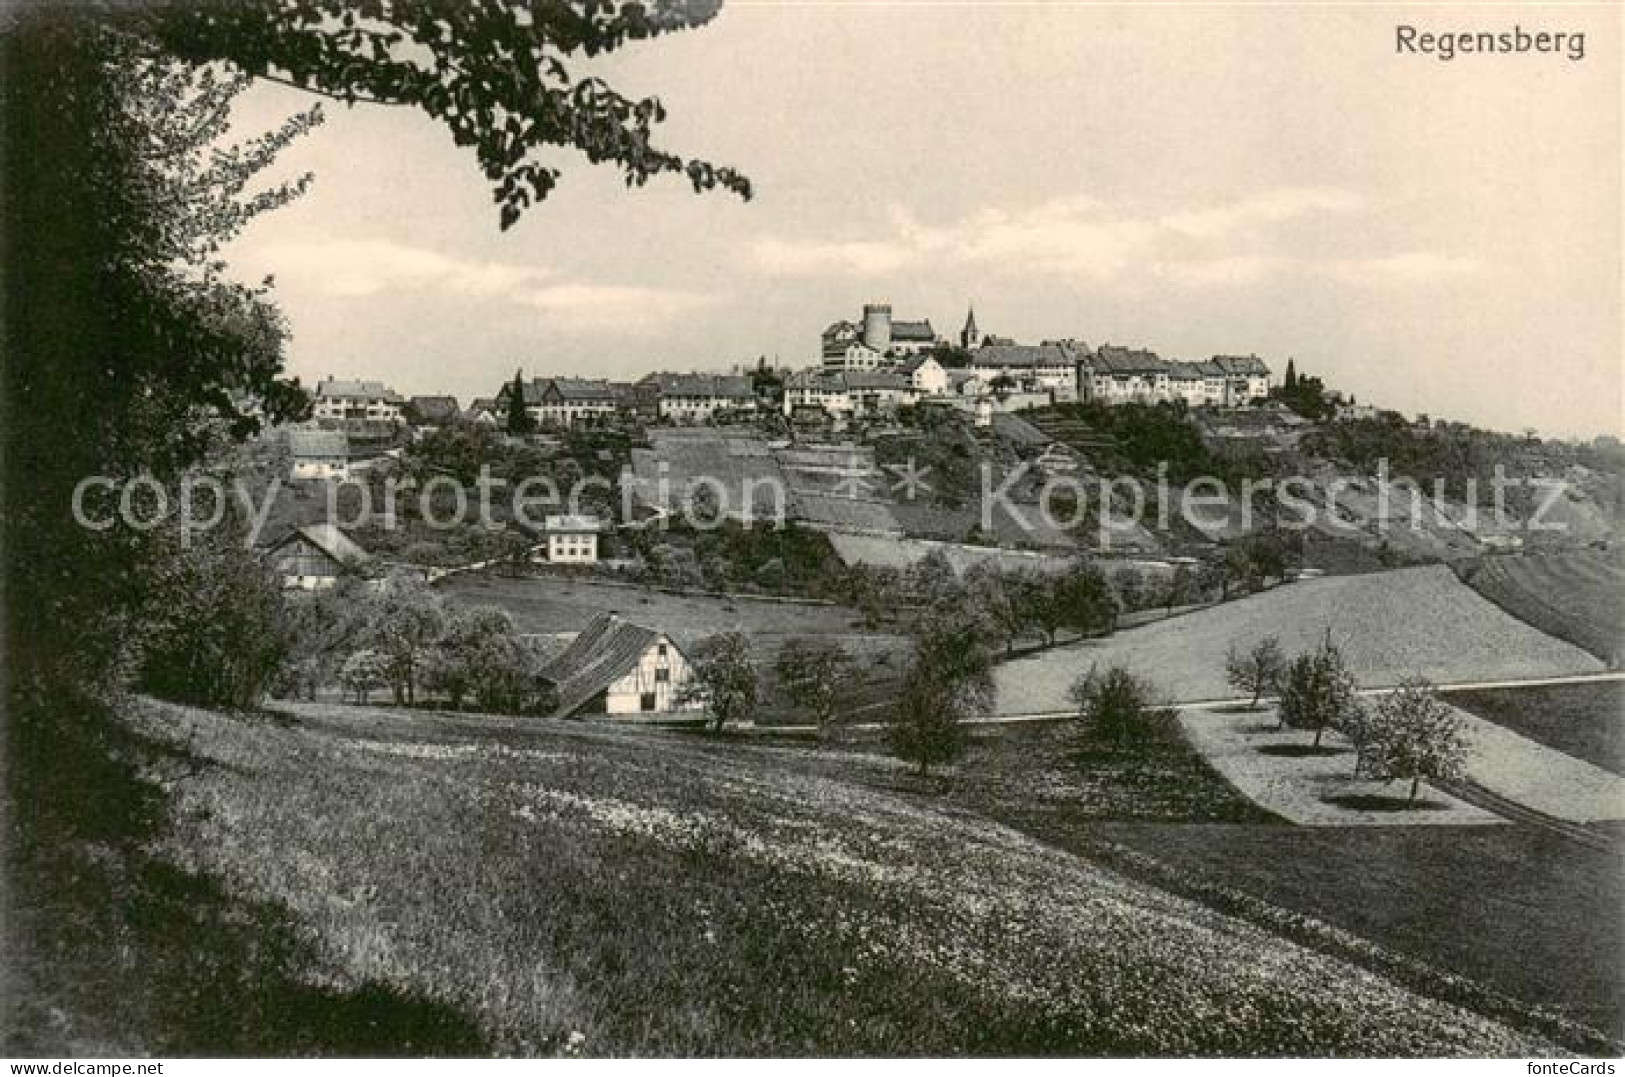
[(498, 74)]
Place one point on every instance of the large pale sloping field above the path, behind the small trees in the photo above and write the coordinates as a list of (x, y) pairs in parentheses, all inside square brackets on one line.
[(1389, 625)]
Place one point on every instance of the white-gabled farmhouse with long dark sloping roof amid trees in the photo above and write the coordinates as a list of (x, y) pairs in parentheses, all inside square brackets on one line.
[(620, 670)]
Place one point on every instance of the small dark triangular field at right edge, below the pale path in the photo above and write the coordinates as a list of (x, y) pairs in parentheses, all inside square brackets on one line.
[(1584, 720)]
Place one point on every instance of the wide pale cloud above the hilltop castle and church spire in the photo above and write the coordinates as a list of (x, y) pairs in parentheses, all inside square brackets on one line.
[(1221, 246)]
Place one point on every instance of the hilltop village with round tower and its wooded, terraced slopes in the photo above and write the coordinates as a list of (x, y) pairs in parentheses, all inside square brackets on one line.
[(981, 423)]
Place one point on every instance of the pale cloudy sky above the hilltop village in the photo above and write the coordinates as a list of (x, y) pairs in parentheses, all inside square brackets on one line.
[(1197, 179)]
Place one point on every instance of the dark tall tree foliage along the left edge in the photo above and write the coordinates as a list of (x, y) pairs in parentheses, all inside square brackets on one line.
[(124, 339)]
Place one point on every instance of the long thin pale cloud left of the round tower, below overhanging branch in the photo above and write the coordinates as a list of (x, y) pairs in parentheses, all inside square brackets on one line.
[(389, 270)]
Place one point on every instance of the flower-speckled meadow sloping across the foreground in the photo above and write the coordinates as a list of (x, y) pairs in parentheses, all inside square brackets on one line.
[(553, 889)]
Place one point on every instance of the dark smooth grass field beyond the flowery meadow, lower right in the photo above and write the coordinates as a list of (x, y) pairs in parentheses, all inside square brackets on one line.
[(1523, 910)]
